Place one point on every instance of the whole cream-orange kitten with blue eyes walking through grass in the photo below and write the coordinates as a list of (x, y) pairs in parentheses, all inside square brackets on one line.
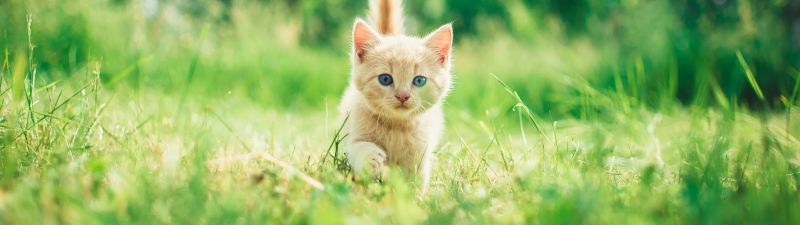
[(394, 99)]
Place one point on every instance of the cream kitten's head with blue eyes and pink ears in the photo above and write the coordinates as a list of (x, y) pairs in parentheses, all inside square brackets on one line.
[(401, 76)]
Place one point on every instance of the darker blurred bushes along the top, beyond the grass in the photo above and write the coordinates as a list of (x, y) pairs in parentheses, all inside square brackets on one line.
[(686, 46)]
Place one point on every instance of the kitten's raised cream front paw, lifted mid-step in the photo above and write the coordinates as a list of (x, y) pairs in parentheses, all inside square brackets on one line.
[(366, 158)]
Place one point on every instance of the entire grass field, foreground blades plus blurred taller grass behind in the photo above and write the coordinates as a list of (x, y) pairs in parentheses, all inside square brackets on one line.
[(240, 127)]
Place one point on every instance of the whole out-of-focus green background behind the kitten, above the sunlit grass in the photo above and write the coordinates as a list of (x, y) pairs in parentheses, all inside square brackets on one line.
[(294, 53)]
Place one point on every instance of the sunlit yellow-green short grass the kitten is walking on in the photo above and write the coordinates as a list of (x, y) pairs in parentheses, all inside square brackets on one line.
[(99, 156)]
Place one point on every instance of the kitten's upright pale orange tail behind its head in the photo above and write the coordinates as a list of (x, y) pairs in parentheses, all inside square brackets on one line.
[(387, 16)]
